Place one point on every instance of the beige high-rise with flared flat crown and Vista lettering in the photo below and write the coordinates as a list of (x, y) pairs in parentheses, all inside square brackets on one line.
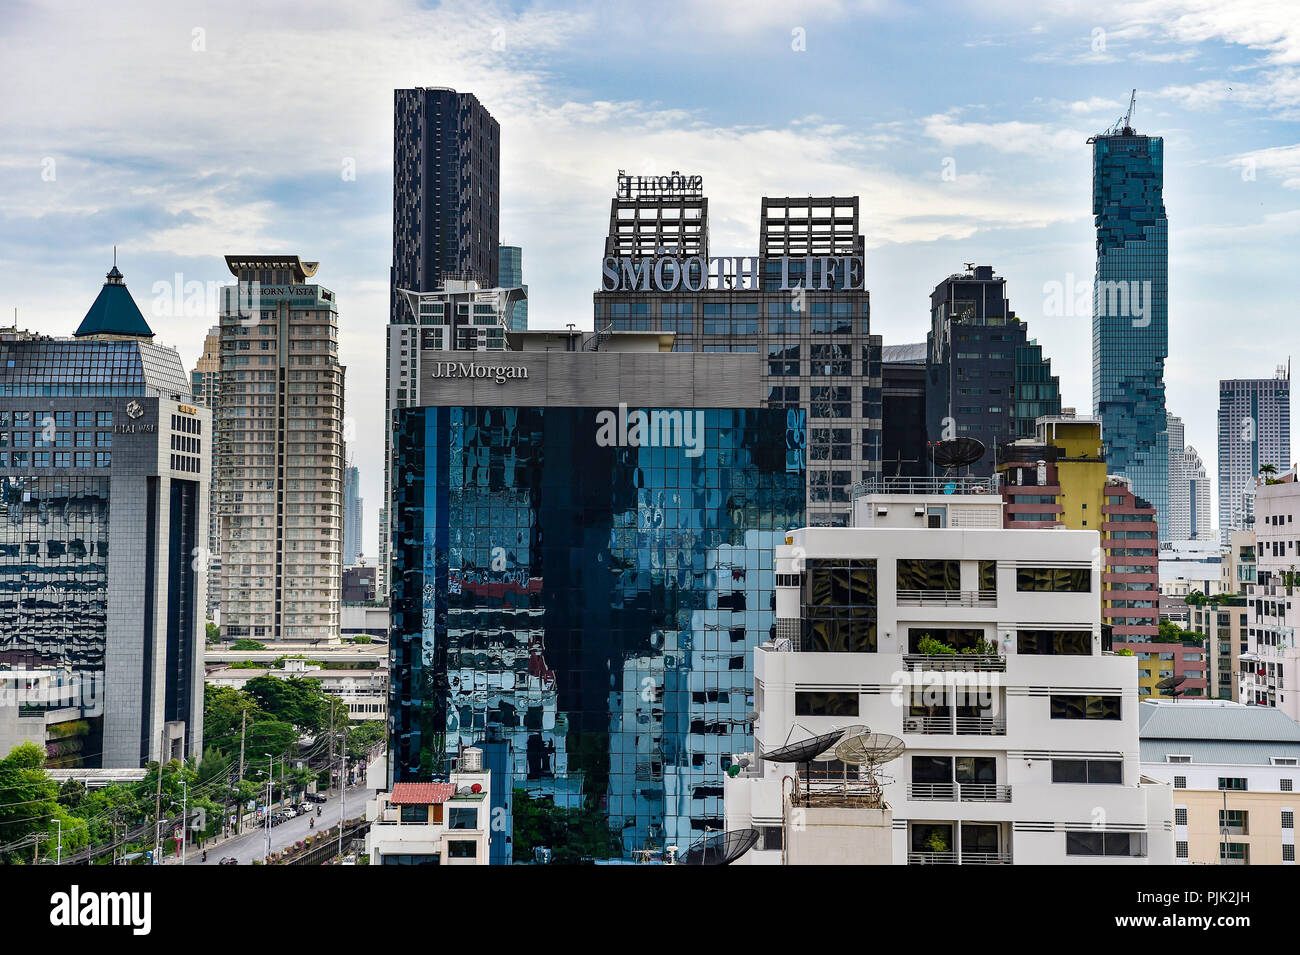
[(280, 467)]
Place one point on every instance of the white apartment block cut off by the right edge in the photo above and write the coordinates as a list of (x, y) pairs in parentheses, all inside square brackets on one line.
[(1271, 665)]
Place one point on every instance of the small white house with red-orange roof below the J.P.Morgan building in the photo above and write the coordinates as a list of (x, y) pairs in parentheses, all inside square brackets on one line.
[(435, 823)]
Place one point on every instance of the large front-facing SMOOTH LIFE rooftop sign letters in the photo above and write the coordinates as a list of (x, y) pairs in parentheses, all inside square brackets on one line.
[(697, 274)]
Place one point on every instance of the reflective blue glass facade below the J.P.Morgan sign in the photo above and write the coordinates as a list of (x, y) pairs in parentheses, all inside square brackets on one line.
[(587, 611)]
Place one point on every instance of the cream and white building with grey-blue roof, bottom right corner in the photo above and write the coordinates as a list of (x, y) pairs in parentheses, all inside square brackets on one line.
[(1234, 771)]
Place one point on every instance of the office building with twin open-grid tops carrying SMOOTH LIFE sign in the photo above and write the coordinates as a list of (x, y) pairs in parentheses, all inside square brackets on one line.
[(801, 305)]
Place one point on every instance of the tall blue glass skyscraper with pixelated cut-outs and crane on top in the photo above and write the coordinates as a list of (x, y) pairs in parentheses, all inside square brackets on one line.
[(1130, 309)]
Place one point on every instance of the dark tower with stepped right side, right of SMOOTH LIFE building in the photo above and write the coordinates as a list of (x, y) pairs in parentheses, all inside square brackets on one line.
[(980, 366)]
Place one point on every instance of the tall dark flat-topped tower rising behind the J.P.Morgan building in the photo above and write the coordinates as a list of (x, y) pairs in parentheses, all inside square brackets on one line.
[(447, 218)]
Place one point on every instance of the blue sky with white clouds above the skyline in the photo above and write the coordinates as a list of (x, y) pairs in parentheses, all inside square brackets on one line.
[(187, 132)]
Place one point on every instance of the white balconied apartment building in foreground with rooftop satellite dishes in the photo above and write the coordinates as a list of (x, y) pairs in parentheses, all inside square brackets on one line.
[(1022, 750)]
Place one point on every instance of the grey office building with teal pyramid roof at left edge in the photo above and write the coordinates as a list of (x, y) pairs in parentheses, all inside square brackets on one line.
[(105, 474)]
